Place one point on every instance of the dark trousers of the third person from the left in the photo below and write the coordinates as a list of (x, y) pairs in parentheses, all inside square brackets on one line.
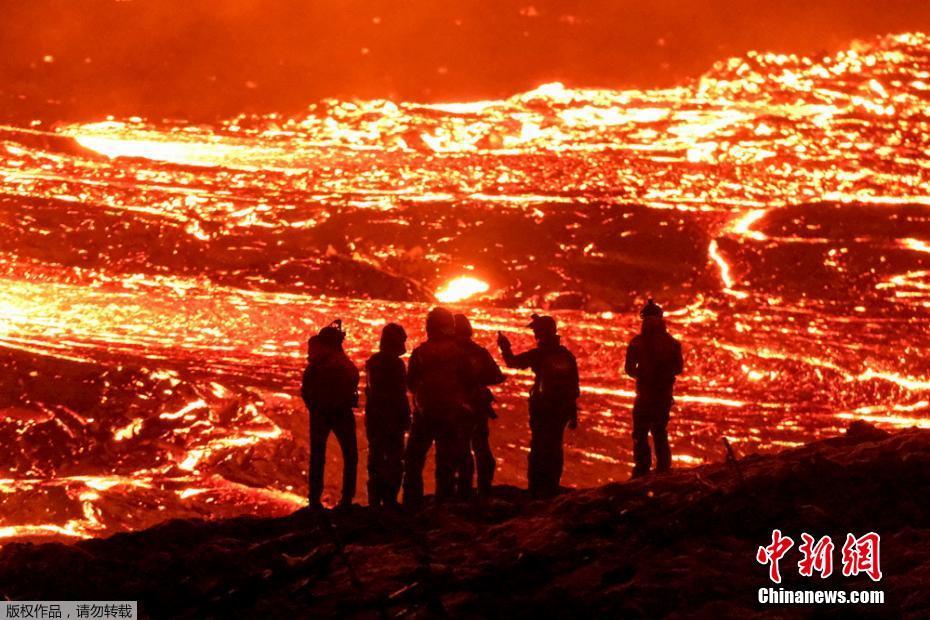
[(447, 430)]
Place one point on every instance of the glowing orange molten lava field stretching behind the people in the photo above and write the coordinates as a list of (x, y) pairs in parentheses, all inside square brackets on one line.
[(160, 280)]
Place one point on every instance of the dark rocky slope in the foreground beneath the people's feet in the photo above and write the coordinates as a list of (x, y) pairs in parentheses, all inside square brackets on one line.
[(680, 545)]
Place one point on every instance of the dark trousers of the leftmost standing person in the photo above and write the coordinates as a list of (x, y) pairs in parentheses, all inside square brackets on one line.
[(342, 424)]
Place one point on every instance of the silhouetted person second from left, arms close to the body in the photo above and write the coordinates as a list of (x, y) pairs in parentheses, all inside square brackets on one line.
[(387, 416)]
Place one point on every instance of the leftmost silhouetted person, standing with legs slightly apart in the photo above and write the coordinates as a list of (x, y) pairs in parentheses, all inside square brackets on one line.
[(330, 391)]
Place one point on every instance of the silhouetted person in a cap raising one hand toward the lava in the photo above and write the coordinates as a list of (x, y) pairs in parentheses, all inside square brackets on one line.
[(553, 401)]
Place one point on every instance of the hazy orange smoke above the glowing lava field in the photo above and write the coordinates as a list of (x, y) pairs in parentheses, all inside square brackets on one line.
[(218, 58)]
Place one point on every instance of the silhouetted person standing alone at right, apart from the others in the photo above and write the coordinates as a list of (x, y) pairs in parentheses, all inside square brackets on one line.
[(654, 359)]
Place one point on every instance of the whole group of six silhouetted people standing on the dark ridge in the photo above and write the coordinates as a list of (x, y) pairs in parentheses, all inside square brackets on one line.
[(449, 377)]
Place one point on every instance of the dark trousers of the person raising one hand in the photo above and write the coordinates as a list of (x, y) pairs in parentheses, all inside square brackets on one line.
[(547, 429)]
